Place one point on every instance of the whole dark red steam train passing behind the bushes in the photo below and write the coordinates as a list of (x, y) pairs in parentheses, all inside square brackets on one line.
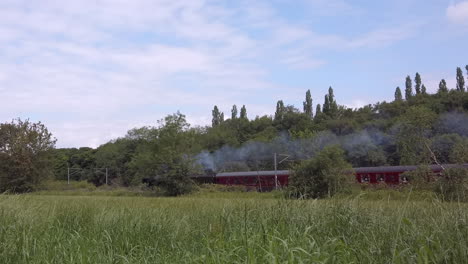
[(269, 180)]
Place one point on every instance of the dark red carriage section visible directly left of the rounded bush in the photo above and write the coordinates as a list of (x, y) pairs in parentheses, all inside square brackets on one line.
[(259, 180)]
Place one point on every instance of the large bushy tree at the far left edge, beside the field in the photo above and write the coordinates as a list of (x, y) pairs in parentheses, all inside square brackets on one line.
[(25, 155)]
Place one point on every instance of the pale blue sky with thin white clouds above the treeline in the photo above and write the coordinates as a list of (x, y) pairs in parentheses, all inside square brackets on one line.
[(90, 70)]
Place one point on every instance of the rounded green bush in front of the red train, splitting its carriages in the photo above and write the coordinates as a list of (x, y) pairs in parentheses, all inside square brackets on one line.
[(324, 175)]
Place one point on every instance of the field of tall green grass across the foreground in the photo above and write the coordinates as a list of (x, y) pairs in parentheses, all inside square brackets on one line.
[(230, 228)]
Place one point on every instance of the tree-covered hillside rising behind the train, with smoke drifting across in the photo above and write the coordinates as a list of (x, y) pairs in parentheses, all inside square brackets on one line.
[(415, 128)]
